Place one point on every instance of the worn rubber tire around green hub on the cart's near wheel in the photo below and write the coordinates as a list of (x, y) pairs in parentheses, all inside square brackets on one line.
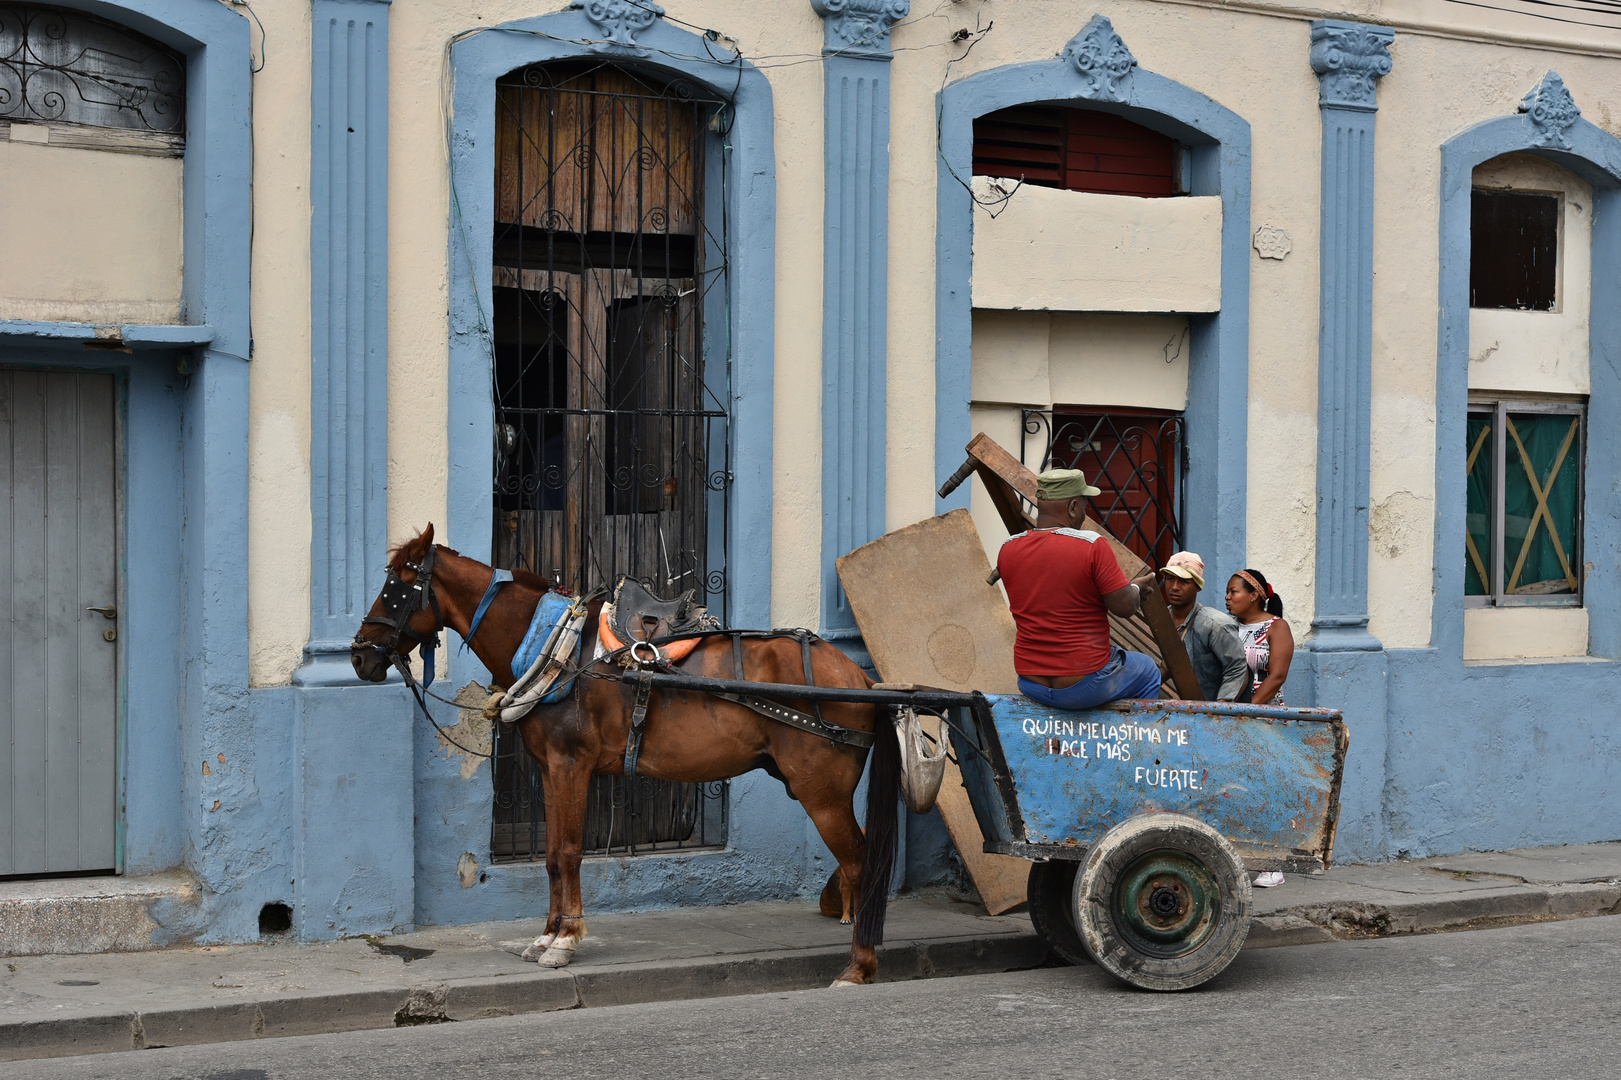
[(1095, 891)]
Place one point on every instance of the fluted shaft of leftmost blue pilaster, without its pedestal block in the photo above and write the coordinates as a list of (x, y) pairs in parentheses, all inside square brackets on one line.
[(348, 328)]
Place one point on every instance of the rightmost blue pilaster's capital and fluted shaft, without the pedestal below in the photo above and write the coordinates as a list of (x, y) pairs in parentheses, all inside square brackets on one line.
[(1349, 61)]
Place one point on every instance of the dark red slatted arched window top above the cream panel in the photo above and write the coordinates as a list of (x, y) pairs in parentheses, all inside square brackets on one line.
[(1077, 150)]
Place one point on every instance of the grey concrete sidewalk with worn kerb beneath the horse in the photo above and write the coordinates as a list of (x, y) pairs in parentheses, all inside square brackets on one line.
[(56, 1006)]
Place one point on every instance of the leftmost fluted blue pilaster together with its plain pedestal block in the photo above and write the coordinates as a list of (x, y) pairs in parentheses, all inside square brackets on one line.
[(353, 768)]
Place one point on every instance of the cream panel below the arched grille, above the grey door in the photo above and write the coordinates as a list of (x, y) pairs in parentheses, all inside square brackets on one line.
[(88, 236)]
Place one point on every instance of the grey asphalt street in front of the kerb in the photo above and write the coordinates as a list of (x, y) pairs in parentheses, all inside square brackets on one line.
[(1531, 1001)]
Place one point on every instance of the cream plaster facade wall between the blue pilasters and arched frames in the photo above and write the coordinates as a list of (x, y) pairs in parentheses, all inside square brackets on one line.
[(1233, 56)]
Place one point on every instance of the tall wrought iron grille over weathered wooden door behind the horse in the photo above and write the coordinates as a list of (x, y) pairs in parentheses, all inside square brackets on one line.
[(610, 385)]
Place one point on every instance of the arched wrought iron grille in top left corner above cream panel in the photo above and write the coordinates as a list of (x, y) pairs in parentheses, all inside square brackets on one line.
[(66, 67)]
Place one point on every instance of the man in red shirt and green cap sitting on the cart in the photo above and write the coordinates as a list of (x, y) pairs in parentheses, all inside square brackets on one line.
[(1063, 585)]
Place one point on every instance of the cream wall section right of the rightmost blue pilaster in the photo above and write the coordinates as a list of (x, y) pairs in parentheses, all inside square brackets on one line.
[(1422, 105)]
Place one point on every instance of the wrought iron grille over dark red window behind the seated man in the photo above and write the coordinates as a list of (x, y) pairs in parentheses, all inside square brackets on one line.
[(1136, 456)]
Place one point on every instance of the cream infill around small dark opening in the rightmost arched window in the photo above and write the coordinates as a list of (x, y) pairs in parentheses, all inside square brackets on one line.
[(1541, 351)]
